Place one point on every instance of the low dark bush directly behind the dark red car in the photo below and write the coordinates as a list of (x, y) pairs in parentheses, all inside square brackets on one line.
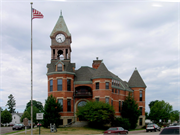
[(121, 122)]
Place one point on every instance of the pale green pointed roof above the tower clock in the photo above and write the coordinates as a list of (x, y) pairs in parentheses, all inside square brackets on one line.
[(60, 27)]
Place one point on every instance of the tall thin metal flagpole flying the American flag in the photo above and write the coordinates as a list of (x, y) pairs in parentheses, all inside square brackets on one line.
[(31, 76)]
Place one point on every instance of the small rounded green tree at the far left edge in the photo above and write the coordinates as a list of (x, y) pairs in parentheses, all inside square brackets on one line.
[(6, 116)]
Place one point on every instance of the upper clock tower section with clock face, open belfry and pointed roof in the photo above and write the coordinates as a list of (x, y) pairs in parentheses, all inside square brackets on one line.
[(60, 41)]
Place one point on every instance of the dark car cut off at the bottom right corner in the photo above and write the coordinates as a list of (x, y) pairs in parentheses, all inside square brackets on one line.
[(170, 130)]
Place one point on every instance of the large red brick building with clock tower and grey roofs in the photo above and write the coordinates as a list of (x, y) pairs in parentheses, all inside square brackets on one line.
[(73, 88)]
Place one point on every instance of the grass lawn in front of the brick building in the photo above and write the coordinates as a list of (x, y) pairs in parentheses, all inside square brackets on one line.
[(68, 130)]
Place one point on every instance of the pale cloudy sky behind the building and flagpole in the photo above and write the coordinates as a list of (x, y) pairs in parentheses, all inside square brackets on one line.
[(125, 34)]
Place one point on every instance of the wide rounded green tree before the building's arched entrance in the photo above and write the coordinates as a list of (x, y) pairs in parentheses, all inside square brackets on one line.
[(97, 113)]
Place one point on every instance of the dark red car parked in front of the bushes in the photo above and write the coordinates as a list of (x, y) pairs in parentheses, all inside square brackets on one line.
[(116, 130)]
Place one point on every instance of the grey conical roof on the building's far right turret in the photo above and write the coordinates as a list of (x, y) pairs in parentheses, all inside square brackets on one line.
[(136, 80)]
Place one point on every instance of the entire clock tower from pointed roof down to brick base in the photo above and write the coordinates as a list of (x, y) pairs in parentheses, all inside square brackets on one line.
[(60, 71)]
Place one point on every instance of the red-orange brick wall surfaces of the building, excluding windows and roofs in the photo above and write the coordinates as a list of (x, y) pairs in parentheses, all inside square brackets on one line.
[(101, 93)]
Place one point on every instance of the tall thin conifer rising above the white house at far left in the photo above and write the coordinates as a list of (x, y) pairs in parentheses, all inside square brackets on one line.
[(11, 103)]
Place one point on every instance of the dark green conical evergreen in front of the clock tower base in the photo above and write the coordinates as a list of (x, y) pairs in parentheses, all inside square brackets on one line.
[(51, 112)]
